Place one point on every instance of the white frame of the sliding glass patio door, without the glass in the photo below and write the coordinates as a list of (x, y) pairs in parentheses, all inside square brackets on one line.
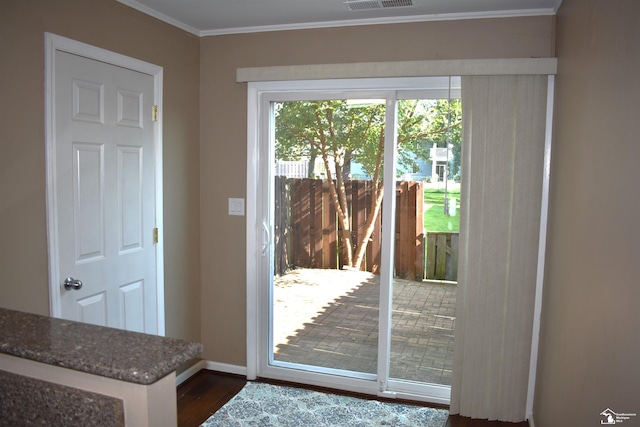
[(259, 223)]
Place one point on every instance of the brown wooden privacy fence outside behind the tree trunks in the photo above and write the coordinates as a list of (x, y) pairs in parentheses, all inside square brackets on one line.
[(307, 230)]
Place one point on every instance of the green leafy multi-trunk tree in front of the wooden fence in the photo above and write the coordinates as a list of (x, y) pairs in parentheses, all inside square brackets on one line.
[(338, 131)]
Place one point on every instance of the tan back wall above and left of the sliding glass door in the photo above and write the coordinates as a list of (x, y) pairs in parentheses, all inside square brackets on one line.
[(223, 129)]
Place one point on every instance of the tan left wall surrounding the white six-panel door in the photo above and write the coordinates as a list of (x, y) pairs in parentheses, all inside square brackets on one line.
[(110, 25)]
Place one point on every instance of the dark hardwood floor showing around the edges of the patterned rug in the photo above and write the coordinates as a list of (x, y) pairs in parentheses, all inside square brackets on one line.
[(207, 391)]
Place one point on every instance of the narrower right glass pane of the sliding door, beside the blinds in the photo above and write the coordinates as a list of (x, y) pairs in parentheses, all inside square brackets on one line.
[(426, 234)]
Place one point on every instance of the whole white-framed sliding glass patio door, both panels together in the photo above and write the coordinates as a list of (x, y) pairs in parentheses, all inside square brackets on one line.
[(342, 297)]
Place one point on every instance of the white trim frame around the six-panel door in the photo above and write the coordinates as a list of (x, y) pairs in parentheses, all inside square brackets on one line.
[(55, 43)]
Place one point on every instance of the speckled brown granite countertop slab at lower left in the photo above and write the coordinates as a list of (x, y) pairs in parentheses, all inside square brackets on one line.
[(128, 356)]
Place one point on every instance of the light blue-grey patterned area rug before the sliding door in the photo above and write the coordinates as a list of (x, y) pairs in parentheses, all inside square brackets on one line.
[(260, 404)]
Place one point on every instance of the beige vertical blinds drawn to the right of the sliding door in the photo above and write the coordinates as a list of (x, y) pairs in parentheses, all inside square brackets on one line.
[(502, 179)]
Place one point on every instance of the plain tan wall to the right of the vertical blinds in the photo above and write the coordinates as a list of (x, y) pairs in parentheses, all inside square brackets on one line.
[(590, 338)]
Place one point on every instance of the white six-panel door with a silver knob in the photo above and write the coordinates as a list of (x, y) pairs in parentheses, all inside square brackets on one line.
[(105, 193)]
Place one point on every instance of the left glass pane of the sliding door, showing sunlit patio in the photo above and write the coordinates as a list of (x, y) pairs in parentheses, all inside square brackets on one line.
[(327, 181)]
